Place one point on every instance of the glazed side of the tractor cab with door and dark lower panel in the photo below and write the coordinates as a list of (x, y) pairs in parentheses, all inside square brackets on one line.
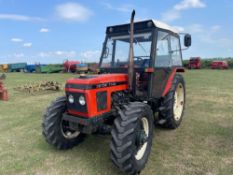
[(168, 56)]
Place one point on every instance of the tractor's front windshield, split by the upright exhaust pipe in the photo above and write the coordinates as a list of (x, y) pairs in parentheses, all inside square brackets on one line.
[(117, 50)]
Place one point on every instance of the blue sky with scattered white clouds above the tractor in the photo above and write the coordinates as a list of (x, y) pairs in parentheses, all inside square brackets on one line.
[(52, 31)]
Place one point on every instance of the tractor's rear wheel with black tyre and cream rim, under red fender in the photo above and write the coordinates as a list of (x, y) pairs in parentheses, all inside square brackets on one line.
[(172, 108)]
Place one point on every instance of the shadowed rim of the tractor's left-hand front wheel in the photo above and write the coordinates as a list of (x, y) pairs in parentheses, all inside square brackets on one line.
[(66, 132)]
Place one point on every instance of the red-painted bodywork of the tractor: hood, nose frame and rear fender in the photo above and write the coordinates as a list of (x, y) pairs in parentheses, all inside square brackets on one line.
[(109, 83)]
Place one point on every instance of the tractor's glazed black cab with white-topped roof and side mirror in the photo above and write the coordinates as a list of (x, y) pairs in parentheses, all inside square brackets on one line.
[(157, 51)]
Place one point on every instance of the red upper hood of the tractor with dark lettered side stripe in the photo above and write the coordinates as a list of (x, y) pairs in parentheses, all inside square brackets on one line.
[(96, 81)]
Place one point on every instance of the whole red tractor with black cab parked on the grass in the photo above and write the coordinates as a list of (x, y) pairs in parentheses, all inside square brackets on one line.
[(138, 75)]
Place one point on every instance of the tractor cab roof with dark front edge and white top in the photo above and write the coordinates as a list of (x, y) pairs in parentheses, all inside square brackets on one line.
[(140, 26)]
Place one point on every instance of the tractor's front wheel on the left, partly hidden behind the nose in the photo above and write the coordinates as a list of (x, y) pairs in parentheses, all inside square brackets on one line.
[(55, 130)]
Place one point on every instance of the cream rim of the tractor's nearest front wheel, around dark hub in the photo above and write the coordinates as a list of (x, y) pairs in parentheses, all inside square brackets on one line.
[(142, 148)]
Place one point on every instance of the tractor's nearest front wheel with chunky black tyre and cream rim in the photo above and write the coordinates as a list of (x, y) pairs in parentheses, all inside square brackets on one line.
[(132, 135)]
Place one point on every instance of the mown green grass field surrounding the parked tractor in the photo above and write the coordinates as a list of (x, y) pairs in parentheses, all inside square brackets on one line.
[(203, 145)]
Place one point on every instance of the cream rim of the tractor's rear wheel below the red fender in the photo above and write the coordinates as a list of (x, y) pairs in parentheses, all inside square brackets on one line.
[(178, 102)]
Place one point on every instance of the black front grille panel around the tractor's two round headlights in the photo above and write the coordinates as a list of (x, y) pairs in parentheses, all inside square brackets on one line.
[(76, 106)]
